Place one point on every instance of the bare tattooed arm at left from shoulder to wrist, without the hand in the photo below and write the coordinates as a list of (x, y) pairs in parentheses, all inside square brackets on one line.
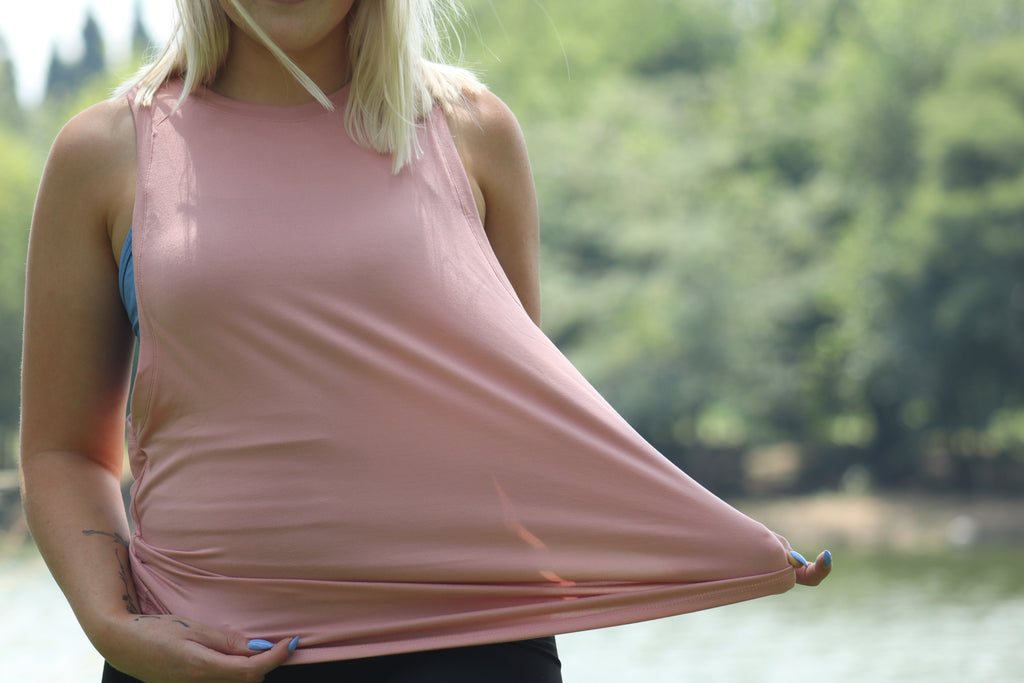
[(75, 375)]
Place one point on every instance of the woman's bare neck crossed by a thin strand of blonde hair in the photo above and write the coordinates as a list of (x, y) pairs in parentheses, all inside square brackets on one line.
[(252, 74)]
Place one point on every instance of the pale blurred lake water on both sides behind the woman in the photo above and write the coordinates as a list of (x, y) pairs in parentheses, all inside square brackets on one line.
[(957, 617)]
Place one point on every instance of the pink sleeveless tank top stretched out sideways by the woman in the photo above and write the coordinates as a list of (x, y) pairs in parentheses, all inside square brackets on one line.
[(346, 426)]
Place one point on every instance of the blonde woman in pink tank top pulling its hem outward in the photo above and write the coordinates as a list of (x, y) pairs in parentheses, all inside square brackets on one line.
[(348, 434)]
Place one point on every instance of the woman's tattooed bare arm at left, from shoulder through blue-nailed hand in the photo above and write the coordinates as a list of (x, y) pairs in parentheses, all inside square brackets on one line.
[(76, 368)]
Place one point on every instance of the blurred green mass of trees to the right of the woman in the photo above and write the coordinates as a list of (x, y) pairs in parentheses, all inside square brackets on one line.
[(814, 234)]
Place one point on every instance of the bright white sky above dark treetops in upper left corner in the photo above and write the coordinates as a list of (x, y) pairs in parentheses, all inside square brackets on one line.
[(31, 28)]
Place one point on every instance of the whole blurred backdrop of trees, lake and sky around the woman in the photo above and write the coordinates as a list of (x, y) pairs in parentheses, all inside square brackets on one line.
[(784, 238)]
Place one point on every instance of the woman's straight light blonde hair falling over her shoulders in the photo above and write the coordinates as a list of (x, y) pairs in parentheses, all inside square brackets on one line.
[(398, 52)]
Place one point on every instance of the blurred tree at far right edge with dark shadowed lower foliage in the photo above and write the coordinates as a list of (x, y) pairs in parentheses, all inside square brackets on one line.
[(956, 285)]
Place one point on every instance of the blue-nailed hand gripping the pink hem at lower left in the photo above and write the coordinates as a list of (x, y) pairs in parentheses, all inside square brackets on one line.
[(175, 650)]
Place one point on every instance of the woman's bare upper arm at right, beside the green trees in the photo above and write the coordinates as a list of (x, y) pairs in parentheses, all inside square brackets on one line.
[(494, 154)]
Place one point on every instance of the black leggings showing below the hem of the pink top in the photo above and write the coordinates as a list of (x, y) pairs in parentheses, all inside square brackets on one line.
[(521, 662)]
